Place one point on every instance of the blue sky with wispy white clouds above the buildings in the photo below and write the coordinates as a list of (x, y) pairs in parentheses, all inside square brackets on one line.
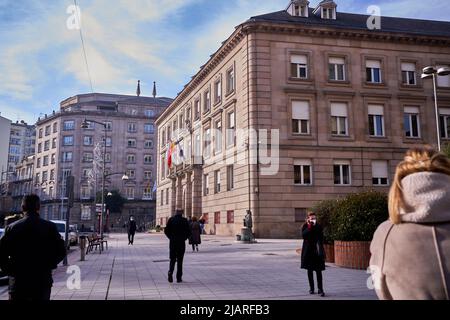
[(166, 41)]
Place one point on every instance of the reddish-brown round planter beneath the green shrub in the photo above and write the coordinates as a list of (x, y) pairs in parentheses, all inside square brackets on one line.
[(352, 254)]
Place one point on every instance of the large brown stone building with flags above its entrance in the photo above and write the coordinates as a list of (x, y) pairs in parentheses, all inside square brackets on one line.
[(347, 102)]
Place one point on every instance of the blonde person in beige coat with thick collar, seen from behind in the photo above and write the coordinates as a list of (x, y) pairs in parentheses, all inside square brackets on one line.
[(411, 251)]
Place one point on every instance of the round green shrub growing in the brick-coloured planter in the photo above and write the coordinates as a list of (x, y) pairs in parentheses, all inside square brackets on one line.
[(357, 216)]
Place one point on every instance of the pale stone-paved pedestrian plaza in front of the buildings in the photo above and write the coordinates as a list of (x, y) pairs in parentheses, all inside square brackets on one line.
[(222, 270)]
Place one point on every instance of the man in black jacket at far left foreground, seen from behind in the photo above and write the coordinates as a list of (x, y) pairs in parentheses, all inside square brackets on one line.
[(29, 250)]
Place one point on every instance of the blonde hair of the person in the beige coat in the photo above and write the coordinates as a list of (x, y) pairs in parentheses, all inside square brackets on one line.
[(416, 160)]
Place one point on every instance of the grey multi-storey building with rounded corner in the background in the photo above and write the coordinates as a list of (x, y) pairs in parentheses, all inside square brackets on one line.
[(64, 148)]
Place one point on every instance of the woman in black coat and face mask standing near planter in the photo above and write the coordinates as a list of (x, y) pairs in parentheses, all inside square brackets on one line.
[(313, 254)]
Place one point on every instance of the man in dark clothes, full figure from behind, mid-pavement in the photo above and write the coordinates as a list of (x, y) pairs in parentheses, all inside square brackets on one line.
[(178, 231)]
